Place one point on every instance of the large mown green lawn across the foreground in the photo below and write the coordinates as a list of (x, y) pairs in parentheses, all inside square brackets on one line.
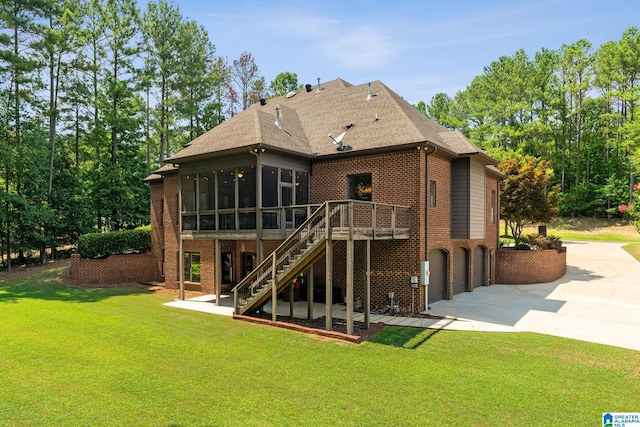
[(117, 357)]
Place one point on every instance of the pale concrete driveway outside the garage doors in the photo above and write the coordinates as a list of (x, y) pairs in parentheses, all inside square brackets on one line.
[(598, 300)]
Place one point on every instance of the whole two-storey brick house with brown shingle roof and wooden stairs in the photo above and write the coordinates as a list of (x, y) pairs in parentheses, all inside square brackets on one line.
[(349, 188)]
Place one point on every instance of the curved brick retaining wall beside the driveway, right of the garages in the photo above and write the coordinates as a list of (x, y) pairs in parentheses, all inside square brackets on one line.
[(527, 267)]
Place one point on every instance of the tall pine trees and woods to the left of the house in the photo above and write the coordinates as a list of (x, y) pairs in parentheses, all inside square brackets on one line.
[(94, 95)]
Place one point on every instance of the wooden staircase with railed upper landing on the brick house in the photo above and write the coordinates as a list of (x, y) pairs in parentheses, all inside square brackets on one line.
[(335, 220)]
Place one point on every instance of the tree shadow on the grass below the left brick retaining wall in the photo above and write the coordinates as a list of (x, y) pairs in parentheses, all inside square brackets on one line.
[(48, 286)]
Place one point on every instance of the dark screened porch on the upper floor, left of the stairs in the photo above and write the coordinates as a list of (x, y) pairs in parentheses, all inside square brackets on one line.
[(252, 196)]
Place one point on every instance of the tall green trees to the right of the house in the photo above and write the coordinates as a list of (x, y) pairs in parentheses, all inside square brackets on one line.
[(575, 108)]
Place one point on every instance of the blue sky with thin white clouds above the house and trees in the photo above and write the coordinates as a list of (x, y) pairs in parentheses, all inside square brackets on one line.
[(416, 48)]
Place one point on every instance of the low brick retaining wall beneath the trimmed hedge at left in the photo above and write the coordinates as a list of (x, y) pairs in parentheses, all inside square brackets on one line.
[(114, 269)]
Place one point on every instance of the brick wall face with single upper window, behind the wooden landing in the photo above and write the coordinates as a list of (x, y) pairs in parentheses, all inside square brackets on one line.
[(396, 178)]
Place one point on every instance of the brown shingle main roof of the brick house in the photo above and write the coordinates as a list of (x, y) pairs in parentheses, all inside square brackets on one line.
[(307, 118)]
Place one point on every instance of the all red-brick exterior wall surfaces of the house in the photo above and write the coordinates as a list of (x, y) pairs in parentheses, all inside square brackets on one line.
[(397, 178)]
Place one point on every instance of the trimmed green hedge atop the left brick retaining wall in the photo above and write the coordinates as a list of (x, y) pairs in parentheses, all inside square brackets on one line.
[(100, 245)]
